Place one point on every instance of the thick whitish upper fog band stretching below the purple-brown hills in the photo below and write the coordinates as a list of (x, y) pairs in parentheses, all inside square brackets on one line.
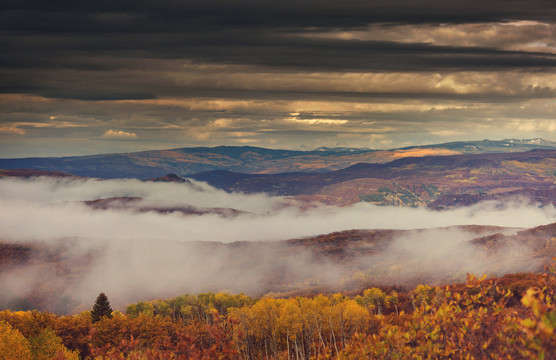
[(56, 210)]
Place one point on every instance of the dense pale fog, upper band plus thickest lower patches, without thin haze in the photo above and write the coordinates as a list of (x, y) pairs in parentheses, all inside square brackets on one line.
[(141, 252)]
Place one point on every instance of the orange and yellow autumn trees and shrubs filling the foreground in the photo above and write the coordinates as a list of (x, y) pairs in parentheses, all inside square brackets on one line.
[(511, 317)]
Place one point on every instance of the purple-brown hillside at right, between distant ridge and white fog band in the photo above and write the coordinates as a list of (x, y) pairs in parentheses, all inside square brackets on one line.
[(439, 181)]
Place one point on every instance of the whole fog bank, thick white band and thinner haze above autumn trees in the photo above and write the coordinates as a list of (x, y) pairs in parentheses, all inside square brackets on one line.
[(144, 245)]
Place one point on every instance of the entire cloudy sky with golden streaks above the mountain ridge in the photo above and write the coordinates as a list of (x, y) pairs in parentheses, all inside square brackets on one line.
[(84, 77)]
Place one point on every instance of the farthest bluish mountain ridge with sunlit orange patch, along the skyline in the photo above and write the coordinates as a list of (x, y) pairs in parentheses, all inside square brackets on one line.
[(252, 160)]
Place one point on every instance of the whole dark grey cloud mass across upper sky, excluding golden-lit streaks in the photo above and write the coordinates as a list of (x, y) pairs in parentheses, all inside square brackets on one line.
[(105, 50)]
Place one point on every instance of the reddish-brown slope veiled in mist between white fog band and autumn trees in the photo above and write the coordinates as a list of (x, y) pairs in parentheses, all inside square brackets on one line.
[(339, 261)]
